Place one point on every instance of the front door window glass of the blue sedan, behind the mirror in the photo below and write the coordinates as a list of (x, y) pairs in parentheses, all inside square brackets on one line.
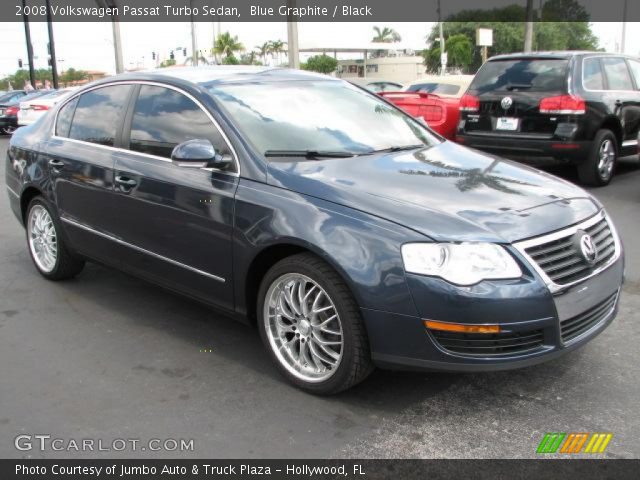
[(163, 118)]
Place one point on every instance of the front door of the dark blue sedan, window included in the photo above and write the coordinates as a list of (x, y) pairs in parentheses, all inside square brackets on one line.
[(177, 221)]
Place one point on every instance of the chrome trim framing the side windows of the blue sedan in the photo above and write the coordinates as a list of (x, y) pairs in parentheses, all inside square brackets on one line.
[(147, 155)]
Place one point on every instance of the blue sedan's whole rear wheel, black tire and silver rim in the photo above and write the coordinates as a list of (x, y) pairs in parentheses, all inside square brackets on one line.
[(47, 248)]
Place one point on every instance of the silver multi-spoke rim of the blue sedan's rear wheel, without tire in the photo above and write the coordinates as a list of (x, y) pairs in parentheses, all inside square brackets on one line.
[(43, 240)]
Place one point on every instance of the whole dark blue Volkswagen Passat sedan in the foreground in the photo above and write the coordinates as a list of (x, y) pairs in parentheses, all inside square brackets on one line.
[(347, 231)]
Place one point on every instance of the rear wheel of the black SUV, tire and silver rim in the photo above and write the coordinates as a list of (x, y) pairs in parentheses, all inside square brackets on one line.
[(598, 168)]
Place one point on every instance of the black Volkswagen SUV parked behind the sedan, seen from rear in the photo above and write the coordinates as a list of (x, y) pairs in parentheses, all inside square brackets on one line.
[(578, 106)]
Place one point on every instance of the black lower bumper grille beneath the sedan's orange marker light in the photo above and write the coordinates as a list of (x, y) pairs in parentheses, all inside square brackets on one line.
[(494, 344)]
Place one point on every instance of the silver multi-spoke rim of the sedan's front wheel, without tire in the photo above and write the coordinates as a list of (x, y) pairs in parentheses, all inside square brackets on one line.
[(303, 327)]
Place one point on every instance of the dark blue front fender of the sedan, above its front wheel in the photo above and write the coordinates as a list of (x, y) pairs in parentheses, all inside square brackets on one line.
[(363, 249)]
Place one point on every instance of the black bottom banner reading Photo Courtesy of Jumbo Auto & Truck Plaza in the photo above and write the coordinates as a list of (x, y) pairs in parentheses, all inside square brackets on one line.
[(319, 469)]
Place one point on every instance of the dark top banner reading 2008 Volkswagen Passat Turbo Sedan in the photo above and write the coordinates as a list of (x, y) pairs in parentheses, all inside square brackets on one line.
[(318, 10)]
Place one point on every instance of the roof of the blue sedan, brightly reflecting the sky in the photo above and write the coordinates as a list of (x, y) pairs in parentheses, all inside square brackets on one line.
[(221, 74)]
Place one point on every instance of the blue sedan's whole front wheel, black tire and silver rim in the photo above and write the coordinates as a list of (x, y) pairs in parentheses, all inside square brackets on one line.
[(312, 326)]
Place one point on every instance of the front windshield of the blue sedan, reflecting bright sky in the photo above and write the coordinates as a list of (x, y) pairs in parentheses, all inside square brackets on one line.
[(318, 116)]
